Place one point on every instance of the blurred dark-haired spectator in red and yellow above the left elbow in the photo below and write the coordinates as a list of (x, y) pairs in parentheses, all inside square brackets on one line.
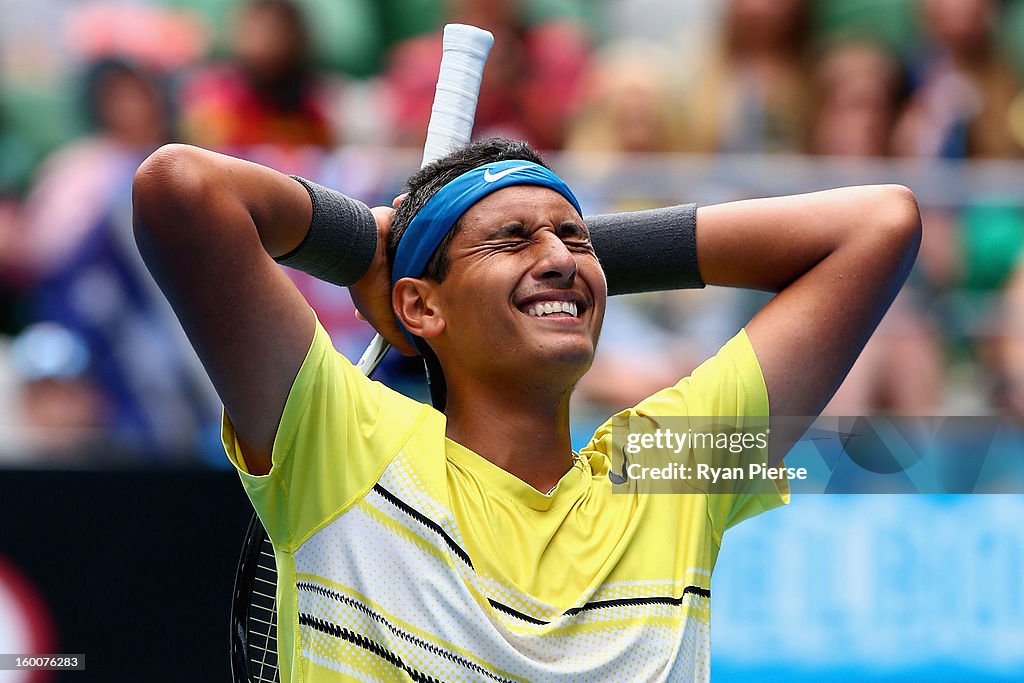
[(268, 93)]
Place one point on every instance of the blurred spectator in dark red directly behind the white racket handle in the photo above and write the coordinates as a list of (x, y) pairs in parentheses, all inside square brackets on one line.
[(533, 76)]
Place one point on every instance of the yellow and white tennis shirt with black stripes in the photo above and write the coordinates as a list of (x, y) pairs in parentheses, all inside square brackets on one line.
[(404, 556)]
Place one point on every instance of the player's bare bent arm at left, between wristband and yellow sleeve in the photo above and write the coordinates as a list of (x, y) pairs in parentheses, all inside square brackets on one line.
[(207, 227)]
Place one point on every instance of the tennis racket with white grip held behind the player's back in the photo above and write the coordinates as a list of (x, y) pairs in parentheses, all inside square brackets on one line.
[(254, 613)]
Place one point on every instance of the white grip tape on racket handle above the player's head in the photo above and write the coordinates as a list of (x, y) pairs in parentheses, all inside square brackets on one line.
[(465, 52)]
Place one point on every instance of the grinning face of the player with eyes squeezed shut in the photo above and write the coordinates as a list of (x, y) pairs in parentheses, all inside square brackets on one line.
[(525, 290)]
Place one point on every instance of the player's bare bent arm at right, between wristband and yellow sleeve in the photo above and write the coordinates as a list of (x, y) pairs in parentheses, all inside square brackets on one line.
[(837, 260)]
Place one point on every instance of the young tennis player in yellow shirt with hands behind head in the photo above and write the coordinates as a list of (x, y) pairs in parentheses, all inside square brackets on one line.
[(475, 544)]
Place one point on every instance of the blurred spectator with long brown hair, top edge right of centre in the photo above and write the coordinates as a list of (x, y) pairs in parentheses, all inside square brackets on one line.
[(751, 94)]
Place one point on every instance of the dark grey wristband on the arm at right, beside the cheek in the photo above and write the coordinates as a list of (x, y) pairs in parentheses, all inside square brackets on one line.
[(649, 251)]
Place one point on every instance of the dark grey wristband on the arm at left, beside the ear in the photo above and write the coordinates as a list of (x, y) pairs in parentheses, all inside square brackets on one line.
[(342, 241)]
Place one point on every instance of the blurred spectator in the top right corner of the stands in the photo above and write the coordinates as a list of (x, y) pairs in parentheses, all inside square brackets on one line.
[(963, 87)]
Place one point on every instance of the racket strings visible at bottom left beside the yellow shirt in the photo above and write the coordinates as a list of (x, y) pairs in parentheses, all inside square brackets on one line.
[(263, 620)]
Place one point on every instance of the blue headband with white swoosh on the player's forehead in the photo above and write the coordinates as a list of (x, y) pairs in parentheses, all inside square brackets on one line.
[(435, 221)]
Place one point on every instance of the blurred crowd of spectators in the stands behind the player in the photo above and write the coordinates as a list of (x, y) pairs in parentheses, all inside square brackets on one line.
[(93, 361)]
